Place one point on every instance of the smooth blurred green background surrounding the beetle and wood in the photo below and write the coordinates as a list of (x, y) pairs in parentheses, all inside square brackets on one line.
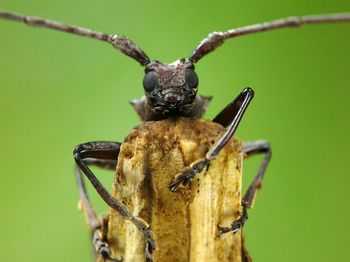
[(59, 90)]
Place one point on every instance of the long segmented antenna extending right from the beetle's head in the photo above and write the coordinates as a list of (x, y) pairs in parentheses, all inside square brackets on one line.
[(216, 39)]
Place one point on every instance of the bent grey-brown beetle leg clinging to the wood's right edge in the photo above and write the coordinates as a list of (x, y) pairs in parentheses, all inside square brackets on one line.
[(251, 148)]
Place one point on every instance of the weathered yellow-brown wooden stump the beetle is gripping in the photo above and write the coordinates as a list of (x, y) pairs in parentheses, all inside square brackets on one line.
[(184, 223)]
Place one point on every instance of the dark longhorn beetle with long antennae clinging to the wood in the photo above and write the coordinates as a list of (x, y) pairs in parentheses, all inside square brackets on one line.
[(170, 91)]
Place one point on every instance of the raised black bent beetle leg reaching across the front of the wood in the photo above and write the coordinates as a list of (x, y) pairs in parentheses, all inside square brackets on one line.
[(235, 110)]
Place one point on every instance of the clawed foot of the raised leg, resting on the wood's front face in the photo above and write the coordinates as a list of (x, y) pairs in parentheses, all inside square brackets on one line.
[(185, 177)]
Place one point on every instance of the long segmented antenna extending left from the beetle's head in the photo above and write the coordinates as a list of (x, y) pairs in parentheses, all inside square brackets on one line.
[(122, 43)]
